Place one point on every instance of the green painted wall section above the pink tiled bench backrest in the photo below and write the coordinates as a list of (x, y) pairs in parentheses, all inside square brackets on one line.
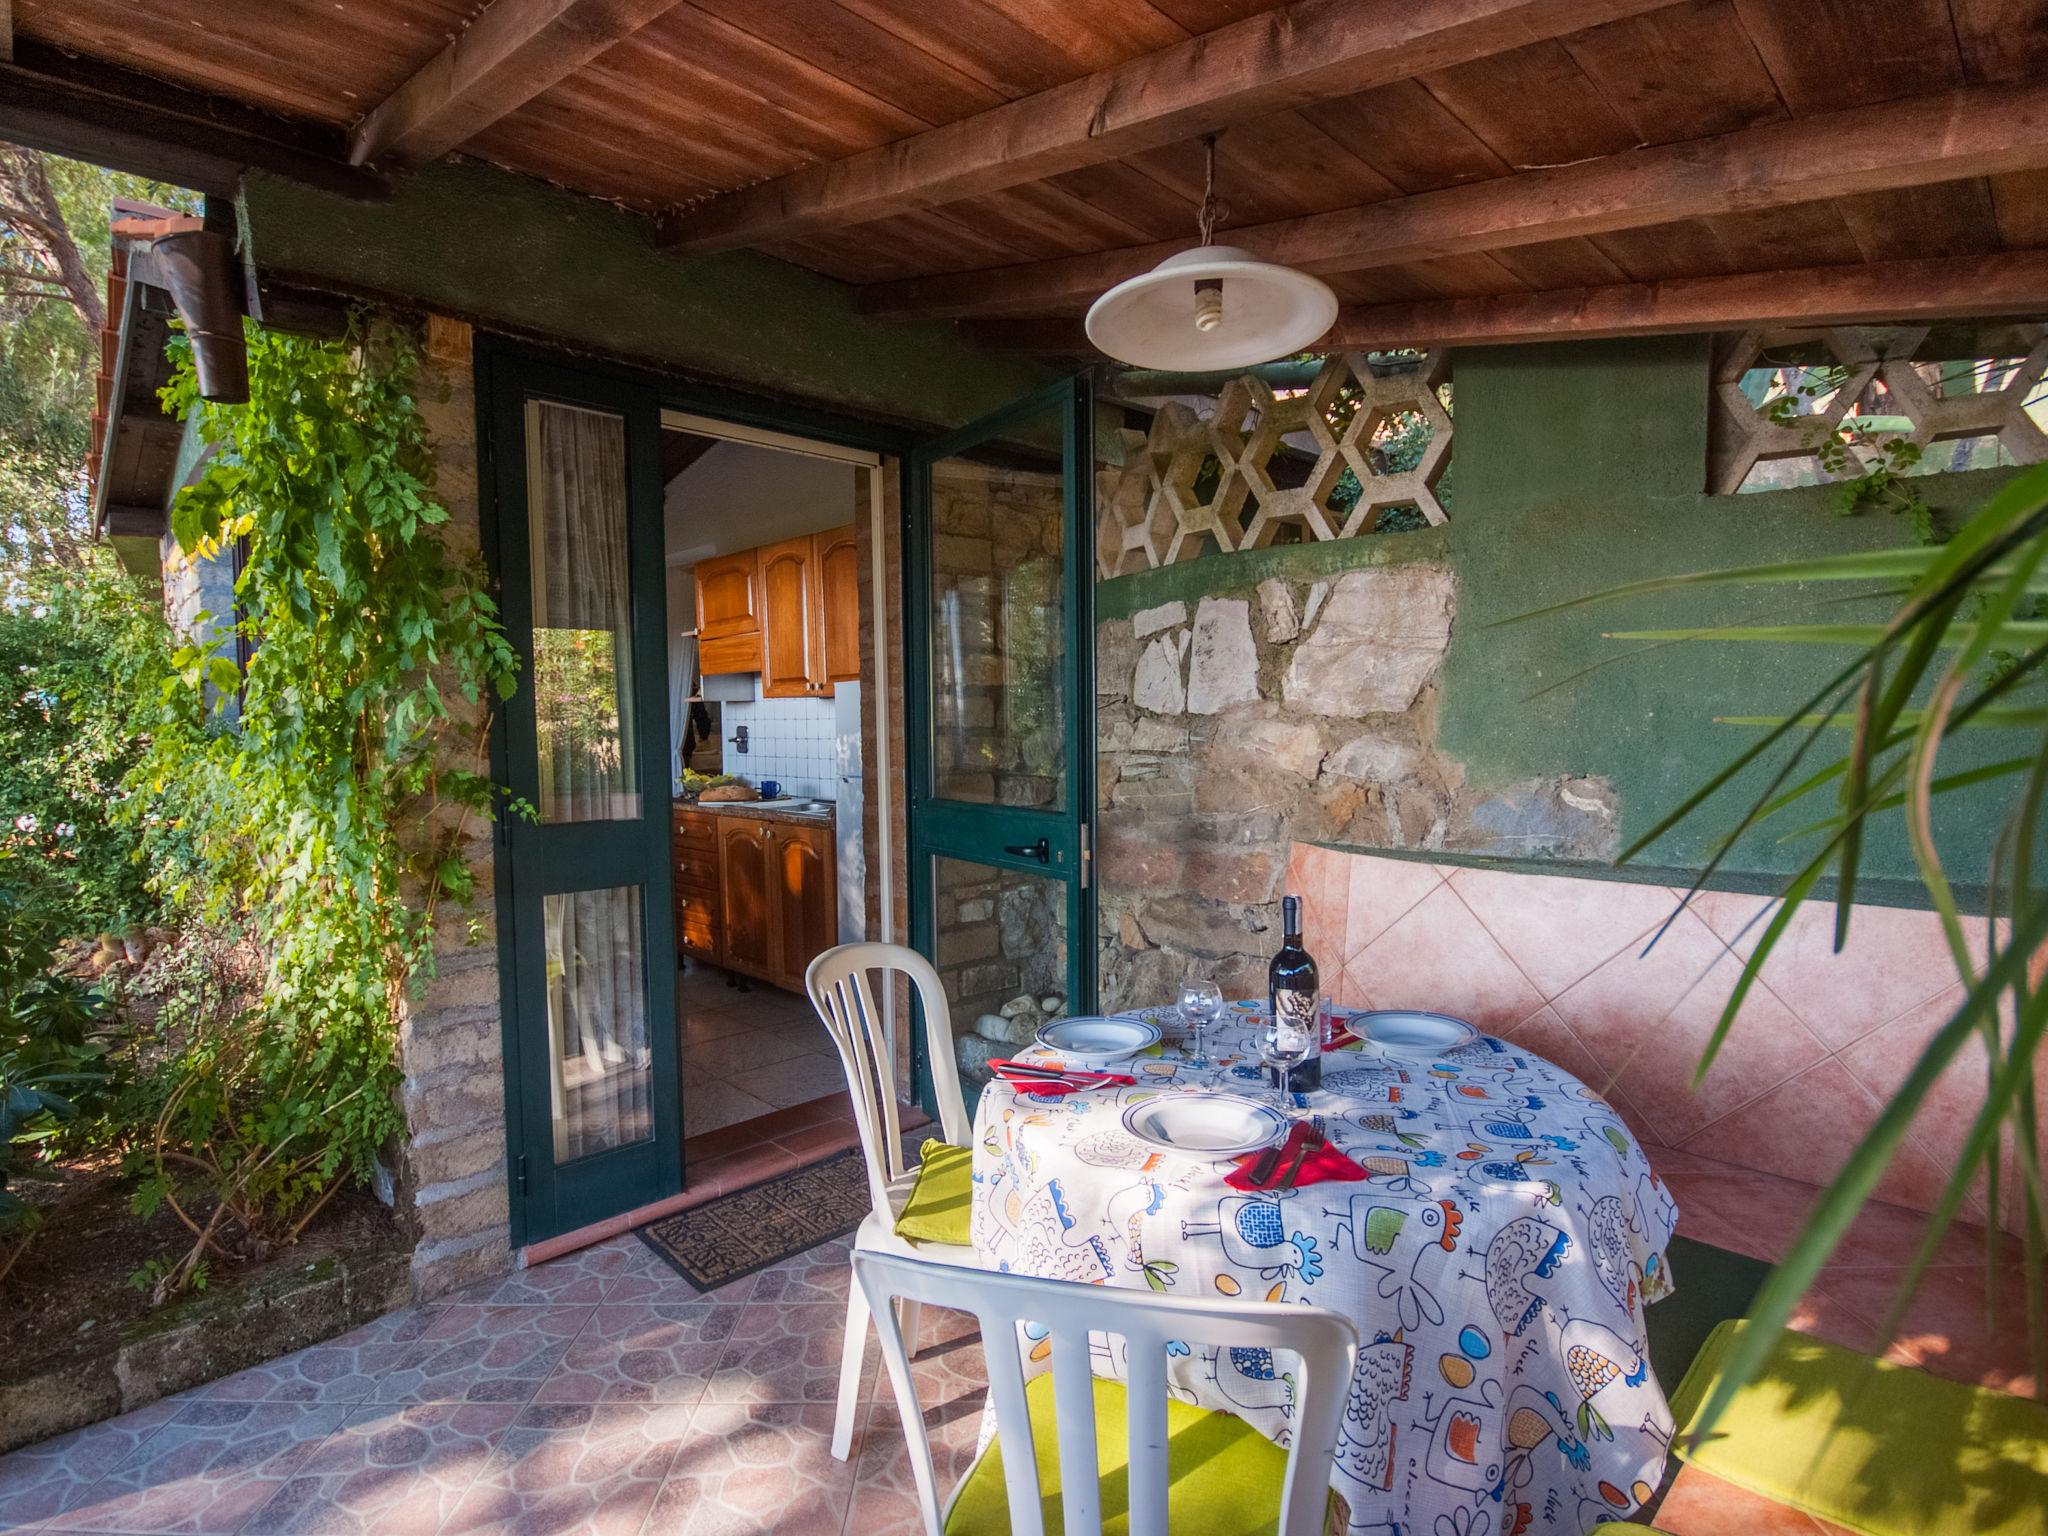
[(1580, 468)]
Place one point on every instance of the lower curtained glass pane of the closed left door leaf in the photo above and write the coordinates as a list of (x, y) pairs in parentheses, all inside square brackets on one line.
[(597, 1021)]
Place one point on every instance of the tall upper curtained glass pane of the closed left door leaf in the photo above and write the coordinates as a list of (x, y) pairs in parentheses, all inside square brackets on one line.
[(583, 613)]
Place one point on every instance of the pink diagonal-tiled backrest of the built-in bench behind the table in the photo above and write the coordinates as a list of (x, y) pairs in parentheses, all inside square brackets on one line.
[(1555, 964)]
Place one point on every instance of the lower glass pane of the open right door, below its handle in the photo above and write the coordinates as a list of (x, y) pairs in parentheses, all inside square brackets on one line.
[(1002, 935)]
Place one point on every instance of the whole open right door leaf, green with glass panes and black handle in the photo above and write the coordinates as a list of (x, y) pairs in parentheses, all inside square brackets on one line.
[(1000, 726)]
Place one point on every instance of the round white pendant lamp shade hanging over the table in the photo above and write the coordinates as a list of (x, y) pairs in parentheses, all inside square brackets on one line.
[(1269, 312)]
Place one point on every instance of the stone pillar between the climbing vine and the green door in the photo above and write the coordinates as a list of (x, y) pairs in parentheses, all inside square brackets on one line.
[(452, 1181)]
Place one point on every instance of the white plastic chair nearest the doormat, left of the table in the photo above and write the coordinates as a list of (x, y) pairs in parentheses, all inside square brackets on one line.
[(839, 986)]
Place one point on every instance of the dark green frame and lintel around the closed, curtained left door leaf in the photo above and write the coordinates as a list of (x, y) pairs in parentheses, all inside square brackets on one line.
[(507, 372)]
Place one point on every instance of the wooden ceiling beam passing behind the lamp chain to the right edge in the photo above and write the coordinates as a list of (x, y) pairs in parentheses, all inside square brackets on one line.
[(1914, 142)]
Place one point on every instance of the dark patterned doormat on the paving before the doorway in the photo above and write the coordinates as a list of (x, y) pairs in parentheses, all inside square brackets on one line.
[(738, 1234)]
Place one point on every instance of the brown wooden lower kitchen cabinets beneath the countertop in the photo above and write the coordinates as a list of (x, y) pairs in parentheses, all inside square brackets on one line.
[(779, 896)]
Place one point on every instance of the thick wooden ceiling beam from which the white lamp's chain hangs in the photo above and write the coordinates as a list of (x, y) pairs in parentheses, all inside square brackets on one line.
[(1302, 54)]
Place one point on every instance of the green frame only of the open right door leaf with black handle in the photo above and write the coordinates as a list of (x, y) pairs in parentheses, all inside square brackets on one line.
[(992, 835)]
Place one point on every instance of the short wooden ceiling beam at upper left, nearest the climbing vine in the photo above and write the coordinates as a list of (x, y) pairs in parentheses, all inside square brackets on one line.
[(505, 58)]
